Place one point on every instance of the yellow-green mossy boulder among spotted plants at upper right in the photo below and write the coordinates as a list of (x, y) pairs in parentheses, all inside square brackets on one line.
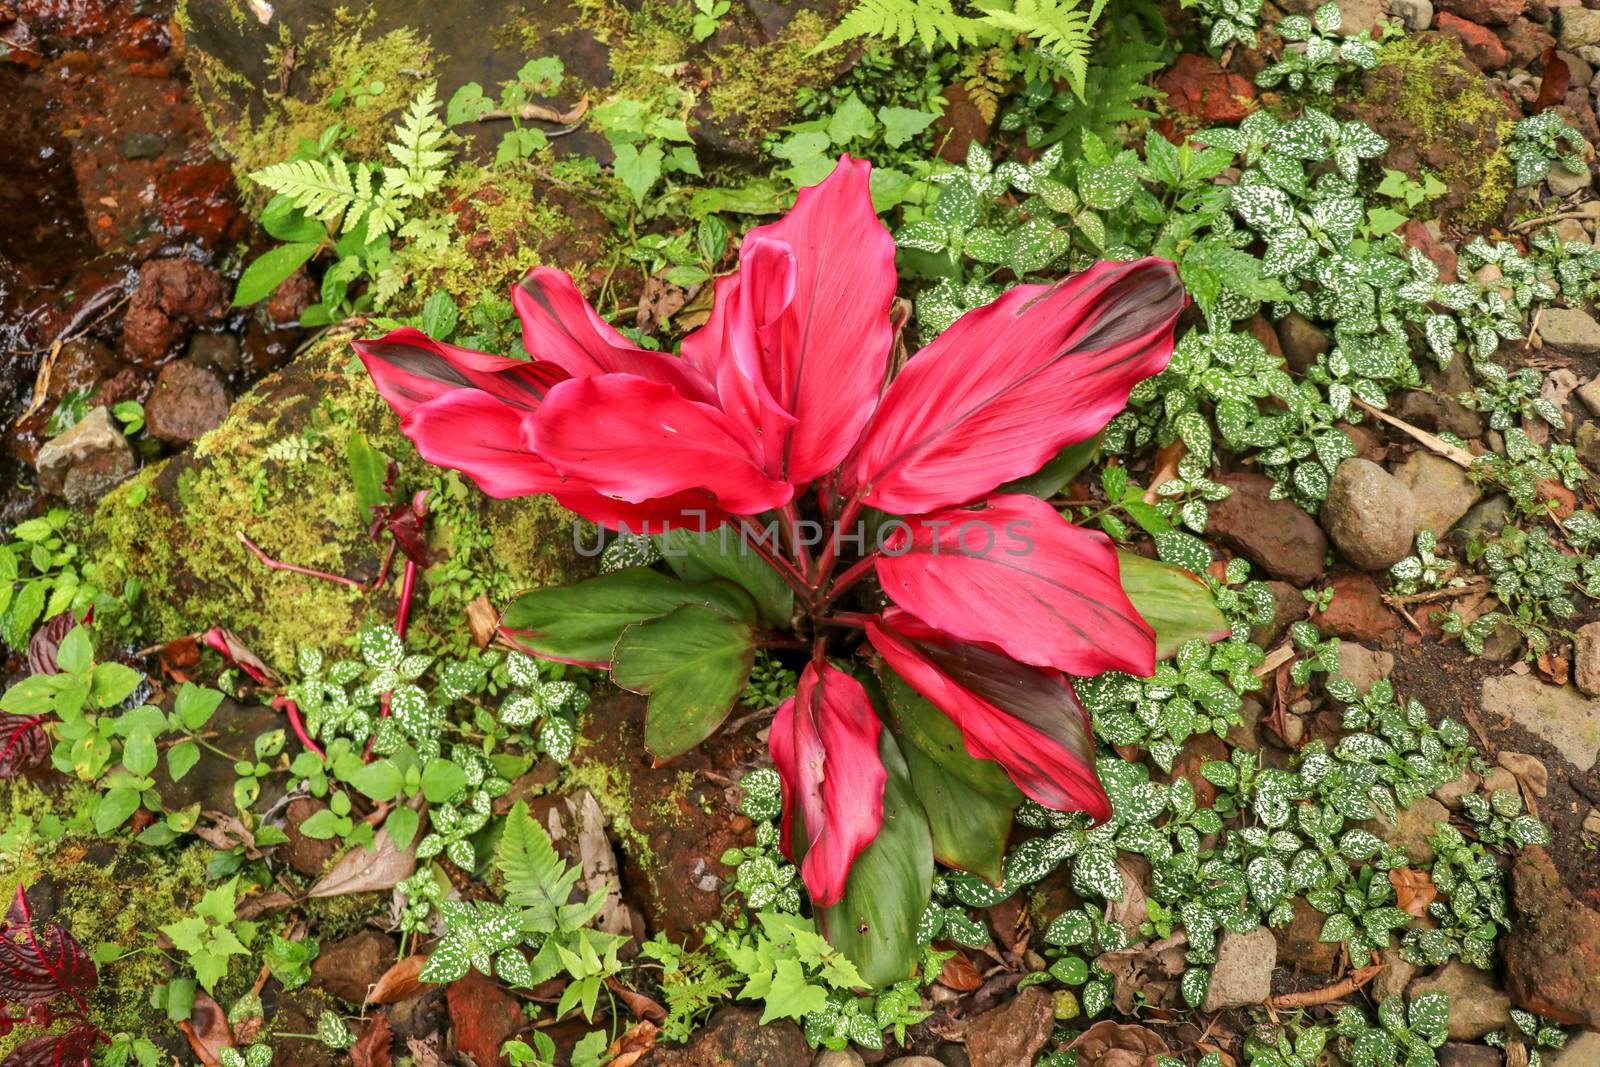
[(1442, 116)]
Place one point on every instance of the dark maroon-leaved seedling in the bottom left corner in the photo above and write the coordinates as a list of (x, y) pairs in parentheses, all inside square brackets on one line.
[(41, 965)]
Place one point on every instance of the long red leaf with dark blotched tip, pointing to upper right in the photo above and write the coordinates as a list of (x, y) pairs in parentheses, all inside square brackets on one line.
[(1014, 383)]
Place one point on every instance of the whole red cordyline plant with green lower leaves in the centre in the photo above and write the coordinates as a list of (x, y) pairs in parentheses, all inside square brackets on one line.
[(778, 423)]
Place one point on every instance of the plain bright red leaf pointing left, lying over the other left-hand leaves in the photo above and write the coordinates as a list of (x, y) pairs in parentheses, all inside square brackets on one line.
[(641, 441)]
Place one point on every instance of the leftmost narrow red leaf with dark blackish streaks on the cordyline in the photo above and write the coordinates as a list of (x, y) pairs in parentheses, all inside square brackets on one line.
[(410, 369)]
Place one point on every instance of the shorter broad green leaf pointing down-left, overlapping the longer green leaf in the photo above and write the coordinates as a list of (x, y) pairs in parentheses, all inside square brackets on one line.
[(692, 665)]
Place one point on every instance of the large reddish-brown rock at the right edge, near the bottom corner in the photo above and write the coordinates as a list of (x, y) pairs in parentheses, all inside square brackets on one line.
[(1554, 953)]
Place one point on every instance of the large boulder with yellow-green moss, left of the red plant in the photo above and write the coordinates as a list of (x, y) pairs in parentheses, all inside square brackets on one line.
[(278, 473)]
